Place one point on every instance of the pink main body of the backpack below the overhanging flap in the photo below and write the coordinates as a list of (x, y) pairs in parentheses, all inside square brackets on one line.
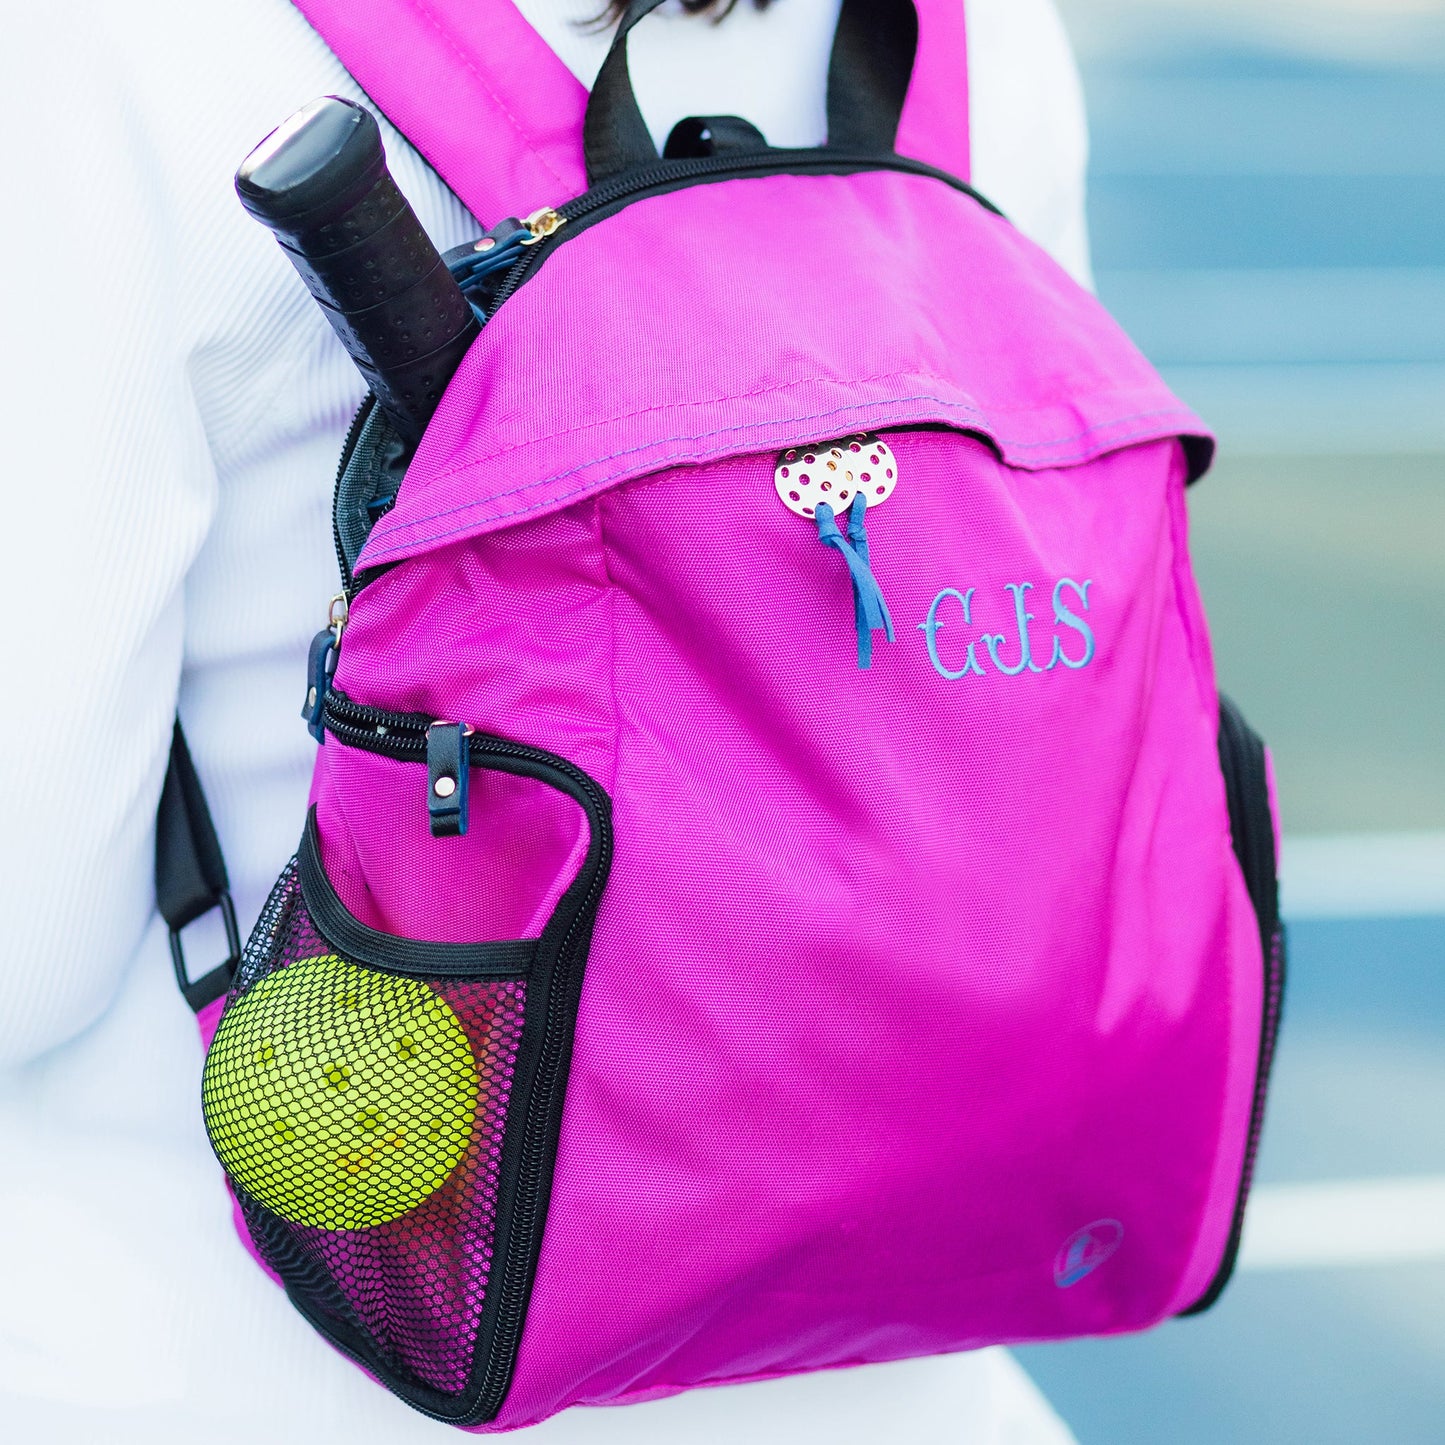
[(949, 969)]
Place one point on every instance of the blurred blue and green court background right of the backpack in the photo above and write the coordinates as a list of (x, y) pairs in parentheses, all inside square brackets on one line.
[(1268, 210)]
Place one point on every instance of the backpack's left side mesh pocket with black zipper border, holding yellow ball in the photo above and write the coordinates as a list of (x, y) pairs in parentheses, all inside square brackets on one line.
[(388, 1112)]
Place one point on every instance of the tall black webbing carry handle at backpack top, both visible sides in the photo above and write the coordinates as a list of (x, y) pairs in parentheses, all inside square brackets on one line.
[(869, 76)]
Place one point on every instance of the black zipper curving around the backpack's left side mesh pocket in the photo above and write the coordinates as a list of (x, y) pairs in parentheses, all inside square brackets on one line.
[(527, 1173)]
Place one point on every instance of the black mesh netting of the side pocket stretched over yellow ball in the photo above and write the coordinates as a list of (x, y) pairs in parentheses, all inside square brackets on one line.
[(361, 1118)]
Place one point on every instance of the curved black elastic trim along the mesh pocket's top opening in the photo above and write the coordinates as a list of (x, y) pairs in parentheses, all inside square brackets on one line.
[(511, 959)]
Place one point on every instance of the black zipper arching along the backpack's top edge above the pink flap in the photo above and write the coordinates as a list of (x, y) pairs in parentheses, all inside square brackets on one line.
[(673, 176)]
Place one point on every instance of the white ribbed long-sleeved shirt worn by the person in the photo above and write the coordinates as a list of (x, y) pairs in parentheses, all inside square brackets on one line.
[(174, 407)]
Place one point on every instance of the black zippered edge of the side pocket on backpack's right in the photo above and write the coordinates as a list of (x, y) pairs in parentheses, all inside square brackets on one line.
[(1252, 830)]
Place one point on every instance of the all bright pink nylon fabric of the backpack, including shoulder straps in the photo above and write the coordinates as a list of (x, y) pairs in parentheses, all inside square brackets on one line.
[(904, 979)]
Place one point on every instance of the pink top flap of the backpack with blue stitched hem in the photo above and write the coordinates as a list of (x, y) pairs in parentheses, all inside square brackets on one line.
[(933, 311)]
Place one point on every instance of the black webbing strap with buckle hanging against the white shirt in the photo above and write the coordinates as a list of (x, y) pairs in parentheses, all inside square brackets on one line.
[(191, 874)]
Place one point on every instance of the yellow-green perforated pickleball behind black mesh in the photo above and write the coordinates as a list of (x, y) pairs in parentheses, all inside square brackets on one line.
[(340, 1097)]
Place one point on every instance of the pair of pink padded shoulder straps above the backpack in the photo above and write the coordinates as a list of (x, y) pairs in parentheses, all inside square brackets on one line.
[(501, 118)]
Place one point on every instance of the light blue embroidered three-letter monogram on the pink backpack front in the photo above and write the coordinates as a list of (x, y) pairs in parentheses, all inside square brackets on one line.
[(1009, 655)]
